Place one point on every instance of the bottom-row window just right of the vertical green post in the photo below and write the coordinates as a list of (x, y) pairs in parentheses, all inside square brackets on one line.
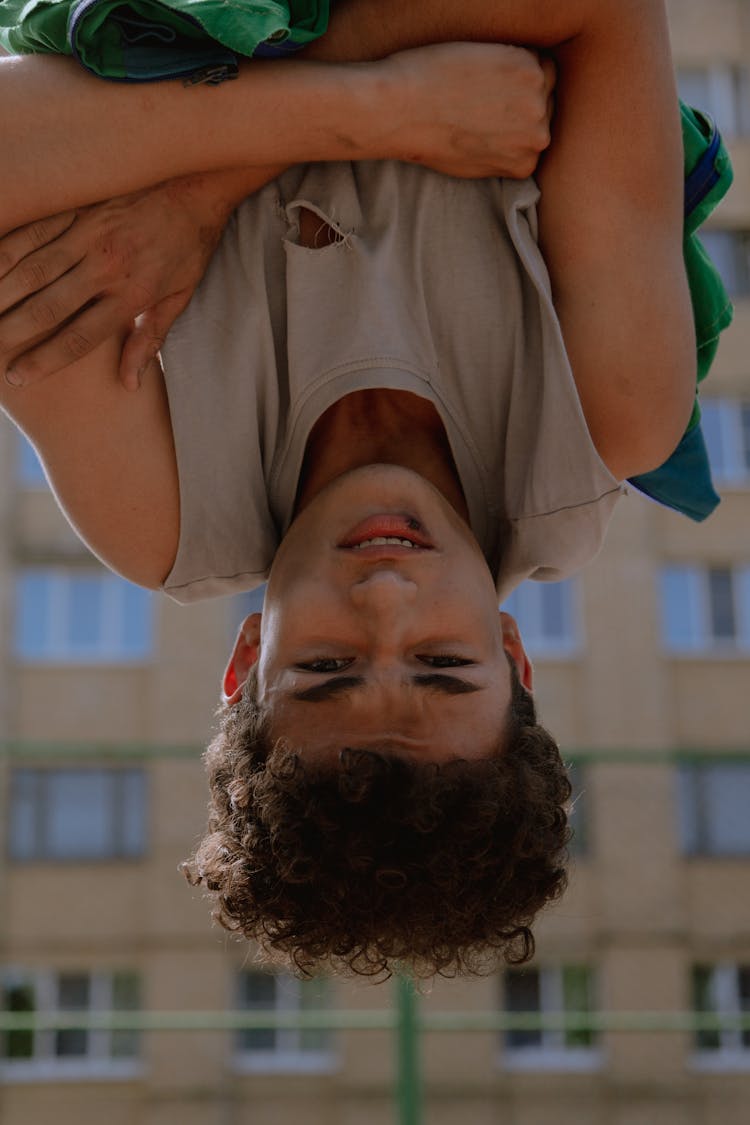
[(550, 992)]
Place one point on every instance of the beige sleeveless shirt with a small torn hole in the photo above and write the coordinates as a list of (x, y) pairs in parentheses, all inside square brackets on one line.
[(435, 286)]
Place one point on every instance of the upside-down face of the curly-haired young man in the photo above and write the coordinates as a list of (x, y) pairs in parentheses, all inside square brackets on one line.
[(379, 644)]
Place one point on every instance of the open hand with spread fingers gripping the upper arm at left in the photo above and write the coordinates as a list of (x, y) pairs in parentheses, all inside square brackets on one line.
[(128, 266)]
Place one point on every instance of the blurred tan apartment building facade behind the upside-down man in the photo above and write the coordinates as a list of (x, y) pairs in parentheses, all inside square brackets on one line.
[(107, 697)]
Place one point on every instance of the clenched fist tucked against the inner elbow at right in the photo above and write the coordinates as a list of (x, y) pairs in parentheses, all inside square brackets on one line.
[(474, 111)]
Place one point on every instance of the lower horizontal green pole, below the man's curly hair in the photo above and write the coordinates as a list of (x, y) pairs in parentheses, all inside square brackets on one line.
[(375, 1021)]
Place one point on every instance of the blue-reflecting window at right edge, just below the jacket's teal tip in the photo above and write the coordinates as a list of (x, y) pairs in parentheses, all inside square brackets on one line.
[(706, 610)]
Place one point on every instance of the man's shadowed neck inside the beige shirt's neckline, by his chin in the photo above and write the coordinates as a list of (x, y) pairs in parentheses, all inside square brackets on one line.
[(381, 427)]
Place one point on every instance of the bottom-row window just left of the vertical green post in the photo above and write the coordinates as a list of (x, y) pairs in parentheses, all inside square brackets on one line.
[(294, 1049)]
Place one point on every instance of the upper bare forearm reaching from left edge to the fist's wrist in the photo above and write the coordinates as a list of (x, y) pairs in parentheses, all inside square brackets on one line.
[(68, 139)]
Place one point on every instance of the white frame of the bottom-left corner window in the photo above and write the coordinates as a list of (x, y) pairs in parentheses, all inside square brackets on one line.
[(46, 1065)]
